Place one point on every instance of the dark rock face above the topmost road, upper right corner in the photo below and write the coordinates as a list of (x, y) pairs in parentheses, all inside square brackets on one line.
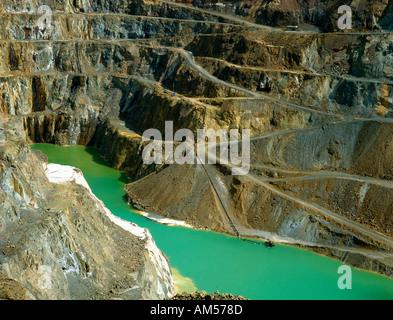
[(366, 15)]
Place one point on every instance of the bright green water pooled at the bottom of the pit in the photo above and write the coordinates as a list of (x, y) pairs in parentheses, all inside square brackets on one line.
[(219, 262)]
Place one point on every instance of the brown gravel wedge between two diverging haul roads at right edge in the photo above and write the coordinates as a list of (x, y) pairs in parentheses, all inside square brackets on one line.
[(363, 201)]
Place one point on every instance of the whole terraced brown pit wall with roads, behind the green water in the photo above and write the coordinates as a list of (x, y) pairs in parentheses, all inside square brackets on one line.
[(318, 106)]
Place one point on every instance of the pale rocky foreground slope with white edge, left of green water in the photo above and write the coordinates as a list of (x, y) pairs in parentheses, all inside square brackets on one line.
[(58, 241)]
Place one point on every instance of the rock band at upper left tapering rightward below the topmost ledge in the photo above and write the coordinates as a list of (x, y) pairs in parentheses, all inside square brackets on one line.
[(111, 27)]
